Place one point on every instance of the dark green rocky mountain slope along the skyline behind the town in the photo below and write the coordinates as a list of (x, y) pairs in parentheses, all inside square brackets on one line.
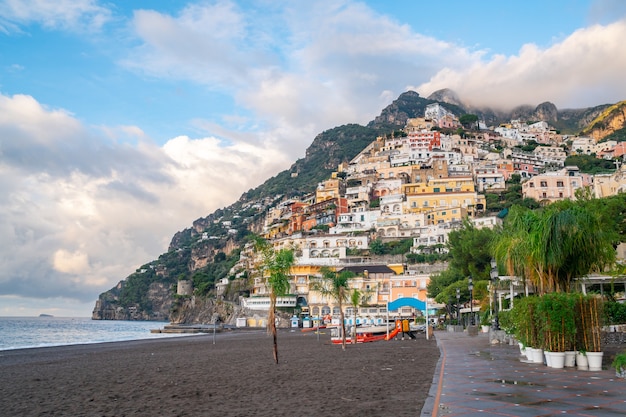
[(207, 250)]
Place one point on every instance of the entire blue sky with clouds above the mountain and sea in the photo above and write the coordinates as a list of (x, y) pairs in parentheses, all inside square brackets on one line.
[(122, 122)]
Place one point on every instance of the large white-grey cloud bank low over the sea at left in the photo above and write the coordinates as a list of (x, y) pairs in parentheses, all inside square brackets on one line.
[(72, 227)]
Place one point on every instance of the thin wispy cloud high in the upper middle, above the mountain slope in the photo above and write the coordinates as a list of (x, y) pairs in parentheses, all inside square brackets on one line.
[(298, 69)]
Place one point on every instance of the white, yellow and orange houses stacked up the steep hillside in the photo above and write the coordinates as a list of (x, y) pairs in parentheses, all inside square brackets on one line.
[(414, 186)]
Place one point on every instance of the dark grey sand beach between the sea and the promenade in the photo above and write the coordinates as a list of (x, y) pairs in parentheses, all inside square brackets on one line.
[(236, 376)]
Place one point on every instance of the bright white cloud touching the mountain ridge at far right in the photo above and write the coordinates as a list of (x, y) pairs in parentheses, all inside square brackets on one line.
[(585, 69)]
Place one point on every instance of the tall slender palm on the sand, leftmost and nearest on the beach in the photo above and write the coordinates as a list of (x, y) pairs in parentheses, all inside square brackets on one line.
[(276, 266)]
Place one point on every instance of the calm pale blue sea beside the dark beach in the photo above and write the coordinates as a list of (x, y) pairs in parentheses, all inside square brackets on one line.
[(28, 332)]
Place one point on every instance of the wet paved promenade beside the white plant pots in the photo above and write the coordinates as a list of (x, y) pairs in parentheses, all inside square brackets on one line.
[(474, 378)]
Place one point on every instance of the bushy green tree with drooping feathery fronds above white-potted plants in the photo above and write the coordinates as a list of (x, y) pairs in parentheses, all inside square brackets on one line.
[(553, 245)]
